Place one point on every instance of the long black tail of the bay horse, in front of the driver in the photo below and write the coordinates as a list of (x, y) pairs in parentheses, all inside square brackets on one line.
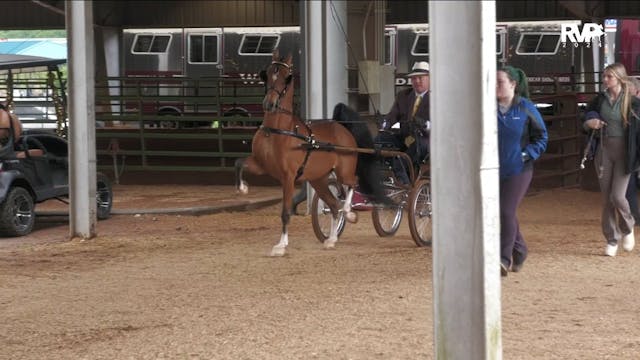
[(368, 168)]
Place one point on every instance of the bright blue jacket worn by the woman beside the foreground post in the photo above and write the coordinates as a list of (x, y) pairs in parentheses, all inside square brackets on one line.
[(522, 137)]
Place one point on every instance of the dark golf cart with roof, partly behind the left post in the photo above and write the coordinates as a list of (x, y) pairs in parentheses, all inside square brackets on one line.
[(34, 164)]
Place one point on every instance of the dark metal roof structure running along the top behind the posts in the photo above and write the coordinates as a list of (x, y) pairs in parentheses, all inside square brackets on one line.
[(49, 14)]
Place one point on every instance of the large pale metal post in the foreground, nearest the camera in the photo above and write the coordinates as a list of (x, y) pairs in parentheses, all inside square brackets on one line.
[(464, 171)]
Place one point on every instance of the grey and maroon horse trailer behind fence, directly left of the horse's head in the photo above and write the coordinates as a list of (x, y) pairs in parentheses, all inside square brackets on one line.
[(202, 53)]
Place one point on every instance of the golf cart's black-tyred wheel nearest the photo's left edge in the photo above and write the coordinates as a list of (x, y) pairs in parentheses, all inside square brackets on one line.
[(17, 213)]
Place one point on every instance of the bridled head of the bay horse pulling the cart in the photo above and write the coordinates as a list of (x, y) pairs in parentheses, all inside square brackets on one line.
[(277, 79)]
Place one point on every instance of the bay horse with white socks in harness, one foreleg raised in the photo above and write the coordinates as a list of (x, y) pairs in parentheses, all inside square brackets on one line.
[(284, 147)]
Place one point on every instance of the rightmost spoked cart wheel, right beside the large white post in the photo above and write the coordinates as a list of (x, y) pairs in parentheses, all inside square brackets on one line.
[(420, 212)]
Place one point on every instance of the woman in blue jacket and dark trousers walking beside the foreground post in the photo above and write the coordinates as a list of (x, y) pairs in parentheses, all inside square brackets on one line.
[(522, 138)]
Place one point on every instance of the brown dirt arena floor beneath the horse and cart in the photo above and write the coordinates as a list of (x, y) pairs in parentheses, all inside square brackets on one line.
[(203, 287)]
